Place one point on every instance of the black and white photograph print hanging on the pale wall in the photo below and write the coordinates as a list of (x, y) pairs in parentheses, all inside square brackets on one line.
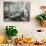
[(16, 11)]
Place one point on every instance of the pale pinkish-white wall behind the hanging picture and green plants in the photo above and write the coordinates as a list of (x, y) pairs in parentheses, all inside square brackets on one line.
[(25, 28)]
